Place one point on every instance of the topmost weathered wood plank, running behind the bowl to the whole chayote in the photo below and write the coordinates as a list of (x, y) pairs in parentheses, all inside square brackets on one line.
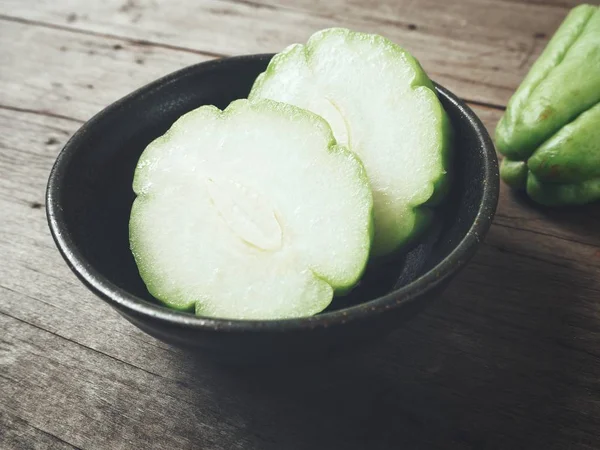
[(480, 50)]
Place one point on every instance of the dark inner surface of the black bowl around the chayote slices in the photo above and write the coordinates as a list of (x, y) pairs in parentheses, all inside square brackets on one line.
[(94, 194)]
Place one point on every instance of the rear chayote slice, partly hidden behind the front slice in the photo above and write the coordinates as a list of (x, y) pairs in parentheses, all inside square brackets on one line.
[(378, 101)]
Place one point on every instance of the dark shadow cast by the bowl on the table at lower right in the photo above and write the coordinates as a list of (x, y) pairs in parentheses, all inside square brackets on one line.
[(493, 365)]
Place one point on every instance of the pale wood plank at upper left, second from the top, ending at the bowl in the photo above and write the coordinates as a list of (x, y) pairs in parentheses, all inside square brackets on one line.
[(73, 75)]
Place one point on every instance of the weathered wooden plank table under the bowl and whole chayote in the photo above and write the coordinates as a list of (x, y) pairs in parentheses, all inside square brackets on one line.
[(508, 359)]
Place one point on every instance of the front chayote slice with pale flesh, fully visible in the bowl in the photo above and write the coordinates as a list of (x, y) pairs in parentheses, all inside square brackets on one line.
[(253, 212)]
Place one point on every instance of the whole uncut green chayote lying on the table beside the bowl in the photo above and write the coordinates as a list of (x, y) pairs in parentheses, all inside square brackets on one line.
[(550, 132)]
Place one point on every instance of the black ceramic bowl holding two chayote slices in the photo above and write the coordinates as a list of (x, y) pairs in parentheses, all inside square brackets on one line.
[(89, 198)]
